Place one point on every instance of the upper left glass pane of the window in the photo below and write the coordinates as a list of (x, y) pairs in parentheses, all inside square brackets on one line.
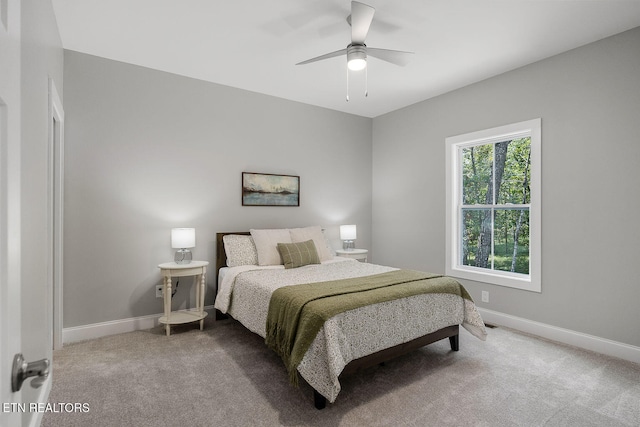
[(476, 174)]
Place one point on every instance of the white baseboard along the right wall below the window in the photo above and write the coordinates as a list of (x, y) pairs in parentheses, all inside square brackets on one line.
[(565, 336)]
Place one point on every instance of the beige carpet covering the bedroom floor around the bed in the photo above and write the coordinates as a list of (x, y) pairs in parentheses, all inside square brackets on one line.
[(225, 376)]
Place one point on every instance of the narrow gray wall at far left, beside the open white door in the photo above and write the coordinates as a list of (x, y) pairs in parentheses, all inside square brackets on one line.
[(42, 58)]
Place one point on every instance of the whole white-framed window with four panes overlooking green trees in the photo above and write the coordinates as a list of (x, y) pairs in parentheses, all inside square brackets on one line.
[(493, 205)]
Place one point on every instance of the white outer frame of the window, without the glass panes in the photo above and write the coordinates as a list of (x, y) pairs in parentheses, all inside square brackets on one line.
[(454, 144)]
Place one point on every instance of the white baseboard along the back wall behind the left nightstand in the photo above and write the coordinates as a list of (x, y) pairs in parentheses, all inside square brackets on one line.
[(97, 330)]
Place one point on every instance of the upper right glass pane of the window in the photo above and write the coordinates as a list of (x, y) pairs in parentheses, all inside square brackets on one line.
[(516, 174)]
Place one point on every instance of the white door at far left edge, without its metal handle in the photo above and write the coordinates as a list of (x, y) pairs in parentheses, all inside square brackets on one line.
[(10, 261)]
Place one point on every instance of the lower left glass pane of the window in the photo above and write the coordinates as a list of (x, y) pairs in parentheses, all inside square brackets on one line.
[(476, 238)]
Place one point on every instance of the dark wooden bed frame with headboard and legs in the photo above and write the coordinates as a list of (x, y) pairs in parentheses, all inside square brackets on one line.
[(377, 358)]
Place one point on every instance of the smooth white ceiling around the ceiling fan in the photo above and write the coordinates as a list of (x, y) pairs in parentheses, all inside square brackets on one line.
[(254, 44)]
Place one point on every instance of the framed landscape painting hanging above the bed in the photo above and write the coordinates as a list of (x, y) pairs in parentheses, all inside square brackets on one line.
[(262, 189)]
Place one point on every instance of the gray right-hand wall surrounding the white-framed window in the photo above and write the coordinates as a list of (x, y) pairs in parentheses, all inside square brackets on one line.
[(588, 100)]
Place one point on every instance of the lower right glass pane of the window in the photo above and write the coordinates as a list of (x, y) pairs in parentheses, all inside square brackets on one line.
[(511, 244)]
